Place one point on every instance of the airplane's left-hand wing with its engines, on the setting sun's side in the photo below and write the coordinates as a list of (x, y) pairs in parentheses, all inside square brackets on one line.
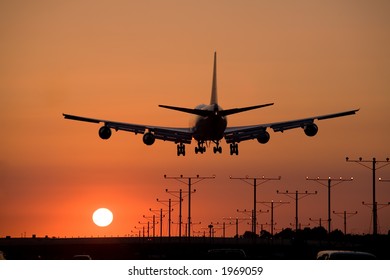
[(177, 135)]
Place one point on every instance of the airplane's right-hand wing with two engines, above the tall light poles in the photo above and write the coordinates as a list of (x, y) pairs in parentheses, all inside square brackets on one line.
[(243, 133)]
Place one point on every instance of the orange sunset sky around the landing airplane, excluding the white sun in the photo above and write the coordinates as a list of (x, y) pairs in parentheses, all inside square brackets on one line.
[(119, 59)]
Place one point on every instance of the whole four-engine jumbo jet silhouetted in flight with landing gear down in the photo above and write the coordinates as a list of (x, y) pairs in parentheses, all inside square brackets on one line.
[(210, 126)]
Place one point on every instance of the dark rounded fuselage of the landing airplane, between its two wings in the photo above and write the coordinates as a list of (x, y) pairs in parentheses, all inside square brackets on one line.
[(209, 128)]
